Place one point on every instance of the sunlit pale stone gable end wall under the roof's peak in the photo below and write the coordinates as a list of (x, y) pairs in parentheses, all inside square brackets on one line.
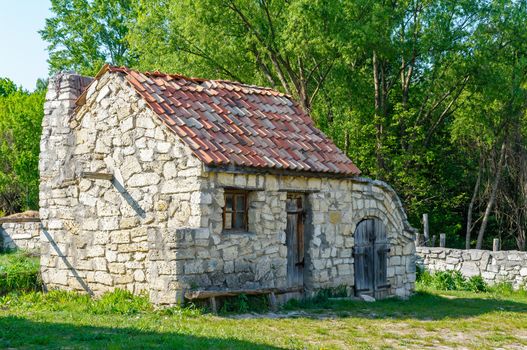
[(103, 235)]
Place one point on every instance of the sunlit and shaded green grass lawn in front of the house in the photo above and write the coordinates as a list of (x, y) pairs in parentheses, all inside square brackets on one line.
[(428, 320)]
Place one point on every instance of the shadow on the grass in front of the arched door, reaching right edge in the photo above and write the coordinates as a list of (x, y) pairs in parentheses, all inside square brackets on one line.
[(421, 306)]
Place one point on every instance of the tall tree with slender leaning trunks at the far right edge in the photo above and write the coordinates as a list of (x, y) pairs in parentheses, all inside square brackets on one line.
[(495, 107)]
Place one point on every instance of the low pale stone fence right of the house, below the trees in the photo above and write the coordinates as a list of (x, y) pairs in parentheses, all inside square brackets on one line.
[(493, 266)]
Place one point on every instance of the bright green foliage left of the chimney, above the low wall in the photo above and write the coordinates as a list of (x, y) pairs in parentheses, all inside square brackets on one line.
[(20, 128)]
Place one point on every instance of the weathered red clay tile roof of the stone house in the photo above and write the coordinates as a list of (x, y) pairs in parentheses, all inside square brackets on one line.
[(232, 124)]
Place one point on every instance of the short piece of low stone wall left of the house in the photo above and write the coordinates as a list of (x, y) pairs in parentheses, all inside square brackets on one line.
[(20, 233)]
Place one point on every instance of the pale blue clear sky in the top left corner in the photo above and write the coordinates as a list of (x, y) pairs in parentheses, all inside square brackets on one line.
[(23, 54)]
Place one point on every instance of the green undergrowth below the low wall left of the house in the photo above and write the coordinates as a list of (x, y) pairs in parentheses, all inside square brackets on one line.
[(19, 272)]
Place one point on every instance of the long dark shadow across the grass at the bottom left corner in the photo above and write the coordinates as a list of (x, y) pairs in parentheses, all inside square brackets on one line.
[(16, 332)]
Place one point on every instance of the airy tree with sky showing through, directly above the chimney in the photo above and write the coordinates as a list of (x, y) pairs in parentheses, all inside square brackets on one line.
[(84, 34)]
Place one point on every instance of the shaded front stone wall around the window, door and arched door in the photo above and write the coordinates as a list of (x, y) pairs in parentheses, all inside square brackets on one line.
[(258, 258)]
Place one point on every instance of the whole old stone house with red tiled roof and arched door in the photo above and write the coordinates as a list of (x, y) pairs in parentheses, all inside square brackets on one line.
[(171, 185)]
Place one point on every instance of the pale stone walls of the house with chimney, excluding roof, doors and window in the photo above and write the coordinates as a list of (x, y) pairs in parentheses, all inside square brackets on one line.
[(157, 226)]
